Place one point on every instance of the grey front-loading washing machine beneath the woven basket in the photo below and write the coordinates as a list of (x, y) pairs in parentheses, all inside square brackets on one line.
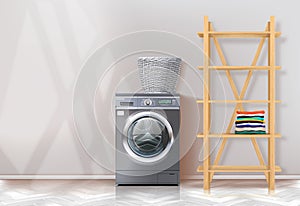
[(147, 139)]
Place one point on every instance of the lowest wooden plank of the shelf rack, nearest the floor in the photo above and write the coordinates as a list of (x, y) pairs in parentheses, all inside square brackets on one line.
[(229, 168)]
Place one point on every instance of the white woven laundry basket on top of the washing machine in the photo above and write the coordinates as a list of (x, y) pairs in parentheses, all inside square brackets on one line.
[(159, 74)]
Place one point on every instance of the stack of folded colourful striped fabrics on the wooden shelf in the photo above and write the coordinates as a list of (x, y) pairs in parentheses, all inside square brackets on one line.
[(250, 122)]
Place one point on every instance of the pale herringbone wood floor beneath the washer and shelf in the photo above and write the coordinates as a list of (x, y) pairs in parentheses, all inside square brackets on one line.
[(104, 192)]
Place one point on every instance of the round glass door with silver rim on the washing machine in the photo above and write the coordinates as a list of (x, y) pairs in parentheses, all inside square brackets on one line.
[(148, 137)]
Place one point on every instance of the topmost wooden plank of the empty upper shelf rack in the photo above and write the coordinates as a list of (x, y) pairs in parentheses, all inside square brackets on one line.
[(238, 34)]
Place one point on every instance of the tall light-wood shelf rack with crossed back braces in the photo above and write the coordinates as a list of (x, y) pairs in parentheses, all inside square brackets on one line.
[(270, 168)]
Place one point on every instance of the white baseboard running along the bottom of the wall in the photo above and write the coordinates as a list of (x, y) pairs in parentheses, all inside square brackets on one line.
[(111, 177)]
